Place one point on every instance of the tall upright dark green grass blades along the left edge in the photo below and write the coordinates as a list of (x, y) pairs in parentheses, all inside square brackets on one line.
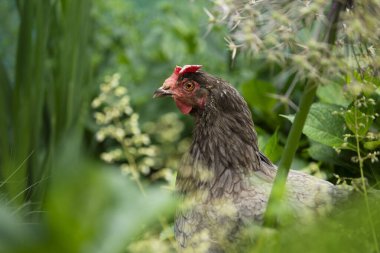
[(44, 99)]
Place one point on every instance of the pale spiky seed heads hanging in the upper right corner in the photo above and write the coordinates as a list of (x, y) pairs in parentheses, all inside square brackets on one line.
[(300, 34)]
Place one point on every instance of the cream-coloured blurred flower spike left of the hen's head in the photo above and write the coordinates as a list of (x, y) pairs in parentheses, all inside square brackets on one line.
[(119, 127)]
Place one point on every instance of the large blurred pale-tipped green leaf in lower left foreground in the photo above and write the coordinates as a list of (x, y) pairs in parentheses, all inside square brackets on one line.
[(106, 212)]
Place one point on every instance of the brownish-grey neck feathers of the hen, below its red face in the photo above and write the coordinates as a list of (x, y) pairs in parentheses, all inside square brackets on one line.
[(224, 149)]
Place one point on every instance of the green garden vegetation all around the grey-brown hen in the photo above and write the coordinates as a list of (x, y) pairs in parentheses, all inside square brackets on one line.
[(88, 160)]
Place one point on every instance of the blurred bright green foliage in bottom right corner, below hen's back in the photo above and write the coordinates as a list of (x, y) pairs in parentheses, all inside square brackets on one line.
[(345, 230)]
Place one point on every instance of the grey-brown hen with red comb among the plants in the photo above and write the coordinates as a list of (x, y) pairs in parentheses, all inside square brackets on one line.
[(224, 179)]
